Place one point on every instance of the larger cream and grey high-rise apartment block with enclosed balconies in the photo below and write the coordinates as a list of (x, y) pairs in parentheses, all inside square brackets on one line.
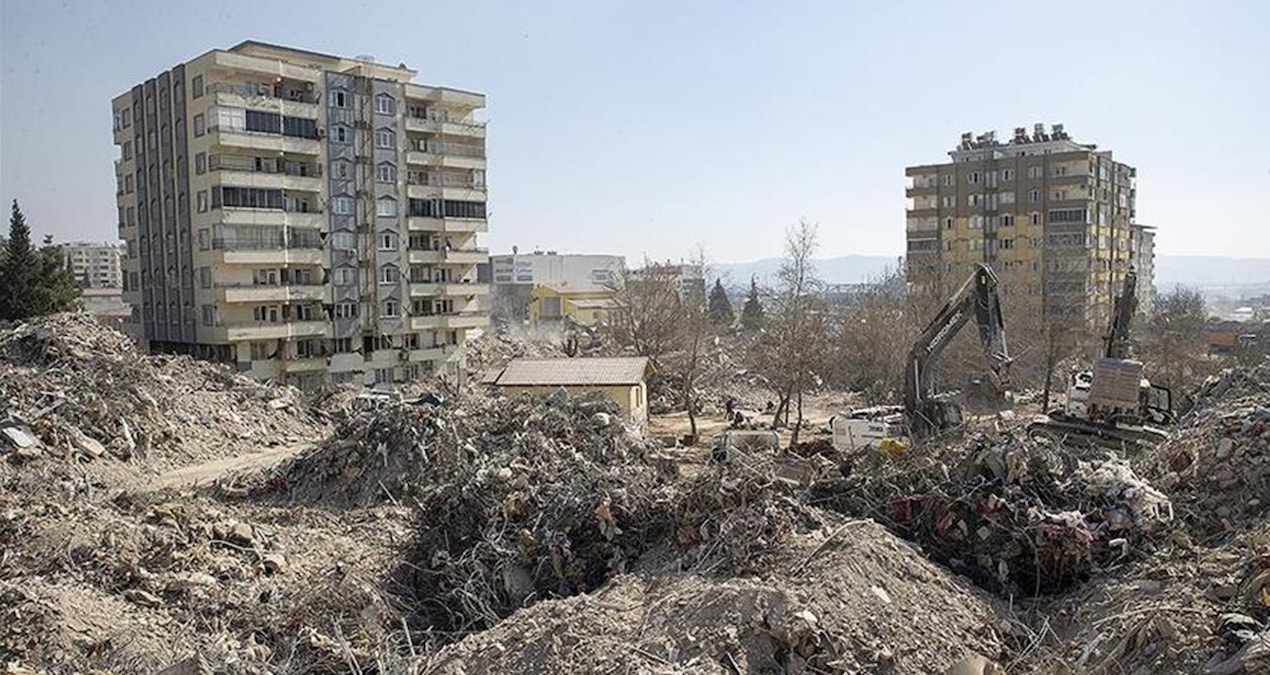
[(308, 218)]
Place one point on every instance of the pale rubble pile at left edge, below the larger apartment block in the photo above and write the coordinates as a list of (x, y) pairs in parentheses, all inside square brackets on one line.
[(77, 390)]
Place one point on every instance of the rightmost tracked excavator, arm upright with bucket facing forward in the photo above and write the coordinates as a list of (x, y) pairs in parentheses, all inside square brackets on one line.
[(1112, 405)]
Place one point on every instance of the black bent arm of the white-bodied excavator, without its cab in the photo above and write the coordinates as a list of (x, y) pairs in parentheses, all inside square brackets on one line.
[(977, 298)]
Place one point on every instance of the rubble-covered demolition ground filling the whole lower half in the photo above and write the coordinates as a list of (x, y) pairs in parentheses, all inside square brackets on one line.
[(161, 514)]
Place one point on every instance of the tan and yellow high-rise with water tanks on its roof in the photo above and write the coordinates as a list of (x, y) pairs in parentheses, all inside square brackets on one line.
[(1055, 218)]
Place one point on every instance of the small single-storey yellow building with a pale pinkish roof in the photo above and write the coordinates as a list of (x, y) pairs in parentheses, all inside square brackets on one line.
[(622, 379)]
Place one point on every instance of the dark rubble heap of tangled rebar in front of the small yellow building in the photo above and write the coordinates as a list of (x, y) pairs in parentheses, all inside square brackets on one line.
[(520, 499)]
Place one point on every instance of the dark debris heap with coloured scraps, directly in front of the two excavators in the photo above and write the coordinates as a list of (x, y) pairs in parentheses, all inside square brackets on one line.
[(1019, 517)]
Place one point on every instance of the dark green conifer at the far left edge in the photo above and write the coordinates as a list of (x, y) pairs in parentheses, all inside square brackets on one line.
[(34, 283)]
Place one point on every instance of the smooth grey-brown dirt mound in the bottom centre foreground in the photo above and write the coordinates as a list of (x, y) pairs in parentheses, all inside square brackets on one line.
[(844, 601)]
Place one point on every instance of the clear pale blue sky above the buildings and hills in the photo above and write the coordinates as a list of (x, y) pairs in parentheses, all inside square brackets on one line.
[(651, 128)]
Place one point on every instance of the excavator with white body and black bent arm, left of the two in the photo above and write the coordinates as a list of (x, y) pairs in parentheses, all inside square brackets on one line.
[(928, 414)]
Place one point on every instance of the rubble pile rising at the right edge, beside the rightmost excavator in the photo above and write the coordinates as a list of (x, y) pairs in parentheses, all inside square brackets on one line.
[(1219, 466)]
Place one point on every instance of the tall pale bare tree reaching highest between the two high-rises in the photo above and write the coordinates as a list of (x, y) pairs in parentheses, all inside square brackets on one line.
[(792, 348)]
